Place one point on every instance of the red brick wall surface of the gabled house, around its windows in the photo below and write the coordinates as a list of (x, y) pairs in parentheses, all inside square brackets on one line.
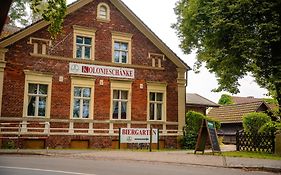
[(18, 59)]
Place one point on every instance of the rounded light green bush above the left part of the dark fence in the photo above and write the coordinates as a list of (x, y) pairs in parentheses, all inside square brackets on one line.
[(252, 122)]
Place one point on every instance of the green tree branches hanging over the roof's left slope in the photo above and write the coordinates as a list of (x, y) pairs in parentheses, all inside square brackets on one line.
[(52, 11)]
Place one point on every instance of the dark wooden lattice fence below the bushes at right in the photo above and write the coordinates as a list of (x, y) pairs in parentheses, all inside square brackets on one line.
[(246, 141)]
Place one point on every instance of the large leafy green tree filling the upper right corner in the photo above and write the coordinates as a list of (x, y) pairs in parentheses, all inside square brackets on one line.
[(234, 38)]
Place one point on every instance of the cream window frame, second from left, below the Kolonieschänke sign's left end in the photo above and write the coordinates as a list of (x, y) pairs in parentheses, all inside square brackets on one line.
[(82, 82)]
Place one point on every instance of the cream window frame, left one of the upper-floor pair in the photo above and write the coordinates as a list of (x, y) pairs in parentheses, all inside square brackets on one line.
[(84, 32)]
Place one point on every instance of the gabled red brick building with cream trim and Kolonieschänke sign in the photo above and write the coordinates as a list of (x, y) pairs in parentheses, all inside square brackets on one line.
[(106, 70)]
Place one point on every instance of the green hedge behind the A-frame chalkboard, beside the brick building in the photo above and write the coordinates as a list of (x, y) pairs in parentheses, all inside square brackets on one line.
[(192, 126)]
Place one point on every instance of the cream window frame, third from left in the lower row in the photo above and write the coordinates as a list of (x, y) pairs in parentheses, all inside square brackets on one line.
[(122, 86)]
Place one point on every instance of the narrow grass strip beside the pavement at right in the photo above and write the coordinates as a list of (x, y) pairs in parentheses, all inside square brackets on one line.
[(258, 155)]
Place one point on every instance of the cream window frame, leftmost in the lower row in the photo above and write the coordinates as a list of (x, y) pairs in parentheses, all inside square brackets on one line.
[(32, 77)]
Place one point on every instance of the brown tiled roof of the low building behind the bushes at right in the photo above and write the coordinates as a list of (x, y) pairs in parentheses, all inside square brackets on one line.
[(234, 113)]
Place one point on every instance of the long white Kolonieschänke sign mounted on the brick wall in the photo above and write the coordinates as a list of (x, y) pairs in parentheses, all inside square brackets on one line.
[(107, 71)]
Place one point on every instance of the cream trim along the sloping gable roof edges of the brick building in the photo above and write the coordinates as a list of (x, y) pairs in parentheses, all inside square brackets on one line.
[(123, 9)]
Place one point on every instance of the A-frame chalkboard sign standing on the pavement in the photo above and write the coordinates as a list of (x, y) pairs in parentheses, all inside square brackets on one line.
[(207, 130)]
